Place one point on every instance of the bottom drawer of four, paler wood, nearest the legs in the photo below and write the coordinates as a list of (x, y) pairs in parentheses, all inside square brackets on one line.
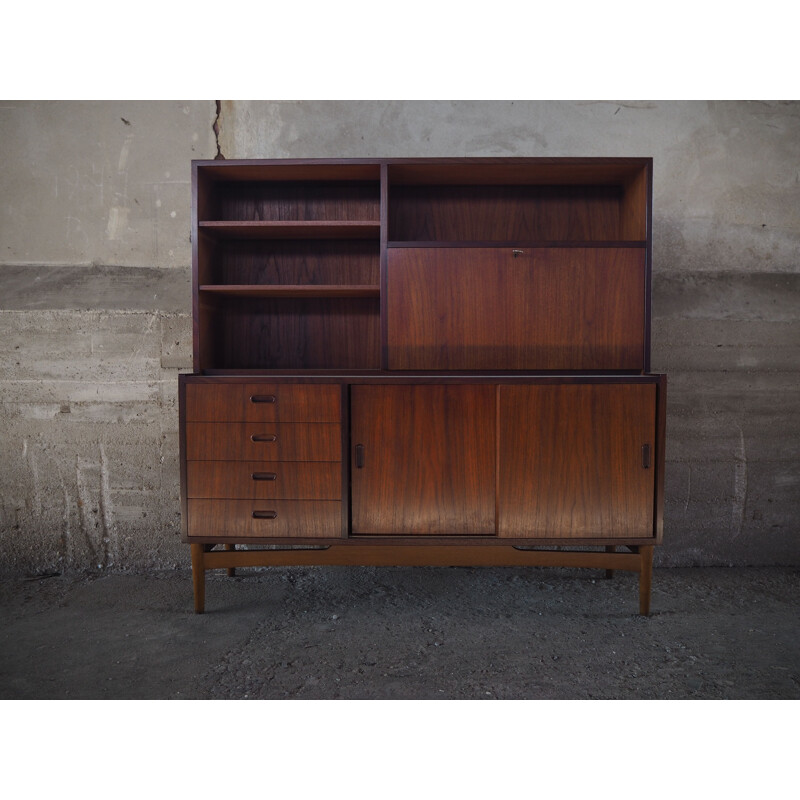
[(251, 519)]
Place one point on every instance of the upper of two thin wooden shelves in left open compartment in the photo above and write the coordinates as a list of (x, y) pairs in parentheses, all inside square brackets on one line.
[(306, 229)]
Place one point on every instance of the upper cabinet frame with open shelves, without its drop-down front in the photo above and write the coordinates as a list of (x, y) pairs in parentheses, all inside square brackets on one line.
[(290, 255)]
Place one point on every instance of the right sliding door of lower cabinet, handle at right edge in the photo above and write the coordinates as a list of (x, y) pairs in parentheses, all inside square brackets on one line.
[(577, 461)]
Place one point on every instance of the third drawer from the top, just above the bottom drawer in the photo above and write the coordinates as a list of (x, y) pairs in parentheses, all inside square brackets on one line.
[(262, 480)]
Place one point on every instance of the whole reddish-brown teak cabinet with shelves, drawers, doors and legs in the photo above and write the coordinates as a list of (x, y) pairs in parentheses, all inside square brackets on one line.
[(424, 362)]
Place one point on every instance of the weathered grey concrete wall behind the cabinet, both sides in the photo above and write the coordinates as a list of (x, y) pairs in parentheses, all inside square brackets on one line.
[(95, 302)]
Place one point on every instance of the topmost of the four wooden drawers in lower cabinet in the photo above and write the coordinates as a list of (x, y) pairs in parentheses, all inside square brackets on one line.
[(262, 402)]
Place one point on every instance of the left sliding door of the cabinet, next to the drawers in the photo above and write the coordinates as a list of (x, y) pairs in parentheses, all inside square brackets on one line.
[(428, 459)]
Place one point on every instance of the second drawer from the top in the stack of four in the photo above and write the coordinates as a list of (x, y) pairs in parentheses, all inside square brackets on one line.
[(253, 441)]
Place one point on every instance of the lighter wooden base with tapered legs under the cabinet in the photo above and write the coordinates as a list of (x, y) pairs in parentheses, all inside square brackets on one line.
[(637, 559)]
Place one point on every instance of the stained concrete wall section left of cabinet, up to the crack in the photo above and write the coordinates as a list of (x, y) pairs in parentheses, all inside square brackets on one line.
[(95, 325)]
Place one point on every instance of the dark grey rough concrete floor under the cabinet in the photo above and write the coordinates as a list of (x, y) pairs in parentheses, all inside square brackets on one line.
[(384, 633)]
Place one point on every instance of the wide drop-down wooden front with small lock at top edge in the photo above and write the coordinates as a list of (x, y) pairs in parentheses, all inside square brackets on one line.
[(543, 309)]
